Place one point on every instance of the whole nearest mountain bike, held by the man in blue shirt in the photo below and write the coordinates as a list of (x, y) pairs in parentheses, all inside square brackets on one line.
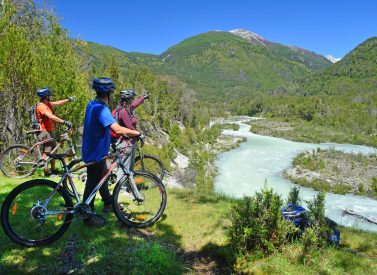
[(39, 212)]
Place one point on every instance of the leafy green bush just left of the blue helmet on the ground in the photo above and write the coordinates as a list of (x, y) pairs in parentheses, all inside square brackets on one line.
[(257, 224)]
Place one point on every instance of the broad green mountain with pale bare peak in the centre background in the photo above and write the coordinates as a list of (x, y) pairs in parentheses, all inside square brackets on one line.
[(221, 64)]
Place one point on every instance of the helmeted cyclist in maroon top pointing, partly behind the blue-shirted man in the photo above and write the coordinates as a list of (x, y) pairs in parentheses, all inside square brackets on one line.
[(125, 117)]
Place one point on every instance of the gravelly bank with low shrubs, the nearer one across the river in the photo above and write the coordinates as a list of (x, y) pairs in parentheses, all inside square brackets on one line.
[(335, 171)]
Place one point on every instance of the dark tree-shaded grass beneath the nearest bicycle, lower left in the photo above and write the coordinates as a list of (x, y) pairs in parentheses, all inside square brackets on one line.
[(107, 250)]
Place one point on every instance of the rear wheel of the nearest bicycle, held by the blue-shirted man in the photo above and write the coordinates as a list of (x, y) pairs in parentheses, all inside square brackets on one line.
[(24, 218)]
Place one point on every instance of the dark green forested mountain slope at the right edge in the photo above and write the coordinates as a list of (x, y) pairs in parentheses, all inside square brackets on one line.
[(355, 73)]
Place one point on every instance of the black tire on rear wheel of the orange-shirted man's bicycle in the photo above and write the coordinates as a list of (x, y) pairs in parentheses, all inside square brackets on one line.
[(12, 173)]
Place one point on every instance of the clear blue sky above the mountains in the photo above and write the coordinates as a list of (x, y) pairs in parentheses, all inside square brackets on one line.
[(325, 27)]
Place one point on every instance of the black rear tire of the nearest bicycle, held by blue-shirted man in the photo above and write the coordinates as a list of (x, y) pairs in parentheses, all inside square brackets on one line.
[(6, 209)]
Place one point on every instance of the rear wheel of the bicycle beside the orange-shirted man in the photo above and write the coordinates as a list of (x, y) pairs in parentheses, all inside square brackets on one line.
[(18, 162)]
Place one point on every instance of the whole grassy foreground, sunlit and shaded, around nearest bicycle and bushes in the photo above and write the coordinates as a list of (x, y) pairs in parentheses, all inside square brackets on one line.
[(190, 238)]
